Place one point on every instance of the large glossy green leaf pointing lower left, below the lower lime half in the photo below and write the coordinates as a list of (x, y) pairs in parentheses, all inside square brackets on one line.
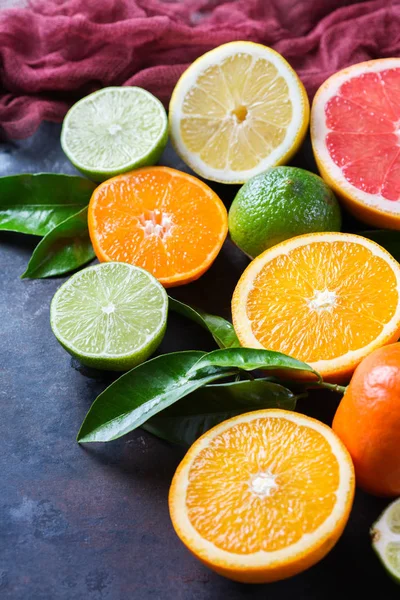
[(143, 392)]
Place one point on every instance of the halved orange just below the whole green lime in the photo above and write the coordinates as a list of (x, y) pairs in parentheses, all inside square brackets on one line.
[(328, 299)]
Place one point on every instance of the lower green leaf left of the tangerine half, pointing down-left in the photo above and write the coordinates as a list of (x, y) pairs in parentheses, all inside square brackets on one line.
[(66, 248)]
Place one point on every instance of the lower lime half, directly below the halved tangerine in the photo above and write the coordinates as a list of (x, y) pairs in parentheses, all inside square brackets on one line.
[(110, 316)]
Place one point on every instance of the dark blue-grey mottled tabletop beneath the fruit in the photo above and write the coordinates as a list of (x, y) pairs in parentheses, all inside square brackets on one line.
[(93, 522)]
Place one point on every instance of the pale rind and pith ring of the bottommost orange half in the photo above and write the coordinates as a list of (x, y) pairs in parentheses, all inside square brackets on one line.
[(207, 550)]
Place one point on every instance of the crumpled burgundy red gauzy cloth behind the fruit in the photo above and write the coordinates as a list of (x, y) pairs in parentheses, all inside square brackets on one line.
[(56, 51)]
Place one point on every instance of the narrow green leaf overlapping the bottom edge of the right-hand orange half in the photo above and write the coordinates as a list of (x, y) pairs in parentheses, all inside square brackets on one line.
[(249, 359)]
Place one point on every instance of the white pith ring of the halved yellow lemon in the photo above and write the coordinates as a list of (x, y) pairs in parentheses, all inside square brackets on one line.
[(188, 81)]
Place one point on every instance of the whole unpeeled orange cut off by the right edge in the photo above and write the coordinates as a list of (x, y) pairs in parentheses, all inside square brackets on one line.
[(368, 421)]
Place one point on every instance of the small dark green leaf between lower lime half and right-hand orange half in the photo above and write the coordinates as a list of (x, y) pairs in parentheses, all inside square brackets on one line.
[(221, 330)]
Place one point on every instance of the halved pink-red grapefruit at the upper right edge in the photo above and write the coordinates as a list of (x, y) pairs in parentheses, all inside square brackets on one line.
[(355, 135)]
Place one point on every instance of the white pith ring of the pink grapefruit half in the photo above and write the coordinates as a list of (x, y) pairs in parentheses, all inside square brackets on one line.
[(319, 131)]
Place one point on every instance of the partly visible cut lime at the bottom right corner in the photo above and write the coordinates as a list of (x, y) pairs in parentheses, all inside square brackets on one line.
[(385, 535)]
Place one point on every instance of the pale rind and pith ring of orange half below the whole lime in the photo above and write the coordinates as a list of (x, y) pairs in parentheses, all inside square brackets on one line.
[(245, 285)]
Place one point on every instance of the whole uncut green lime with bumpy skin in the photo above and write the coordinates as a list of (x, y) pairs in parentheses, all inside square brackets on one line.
[(279, 204)]
